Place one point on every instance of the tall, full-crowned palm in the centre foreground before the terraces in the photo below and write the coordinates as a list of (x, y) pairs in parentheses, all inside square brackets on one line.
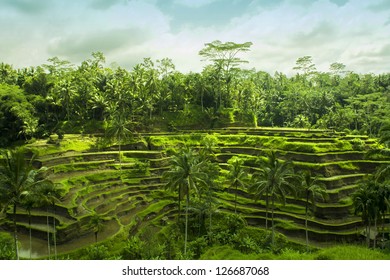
[(186, 174)]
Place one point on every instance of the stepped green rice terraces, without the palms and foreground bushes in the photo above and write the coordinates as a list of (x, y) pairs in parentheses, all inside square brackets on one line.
[(128, 192)]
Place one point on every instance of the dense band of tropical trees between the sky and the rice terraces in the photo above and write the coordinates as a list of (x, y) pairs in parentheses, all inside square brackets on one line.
[(59, 97)]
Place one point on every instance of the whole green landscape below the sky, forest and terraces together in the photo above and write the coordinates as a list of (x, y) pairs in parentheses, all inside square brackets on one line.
[(103, 162)]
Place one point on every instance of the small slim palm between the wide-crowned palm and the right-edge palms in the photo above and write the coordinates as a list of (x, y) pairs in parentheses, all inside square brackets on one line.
[(312, 190)]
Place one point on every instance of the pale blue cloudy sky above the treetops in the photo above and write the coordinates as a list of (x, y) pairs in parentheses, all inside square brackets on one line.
[(353, 32)]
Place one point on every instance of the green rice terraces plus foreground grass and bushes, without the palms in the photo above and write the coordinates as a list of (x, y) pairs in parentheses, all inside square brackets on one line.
[(138, 212)]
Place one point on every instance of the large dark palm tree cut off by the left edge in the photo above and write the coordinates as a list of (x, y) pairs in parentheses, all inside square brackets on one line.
[(17, 177)]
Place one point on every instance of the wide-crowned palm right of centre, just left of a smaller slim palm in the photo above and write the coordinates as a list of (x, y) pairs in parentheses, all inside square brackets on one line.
[(274, 180)]
